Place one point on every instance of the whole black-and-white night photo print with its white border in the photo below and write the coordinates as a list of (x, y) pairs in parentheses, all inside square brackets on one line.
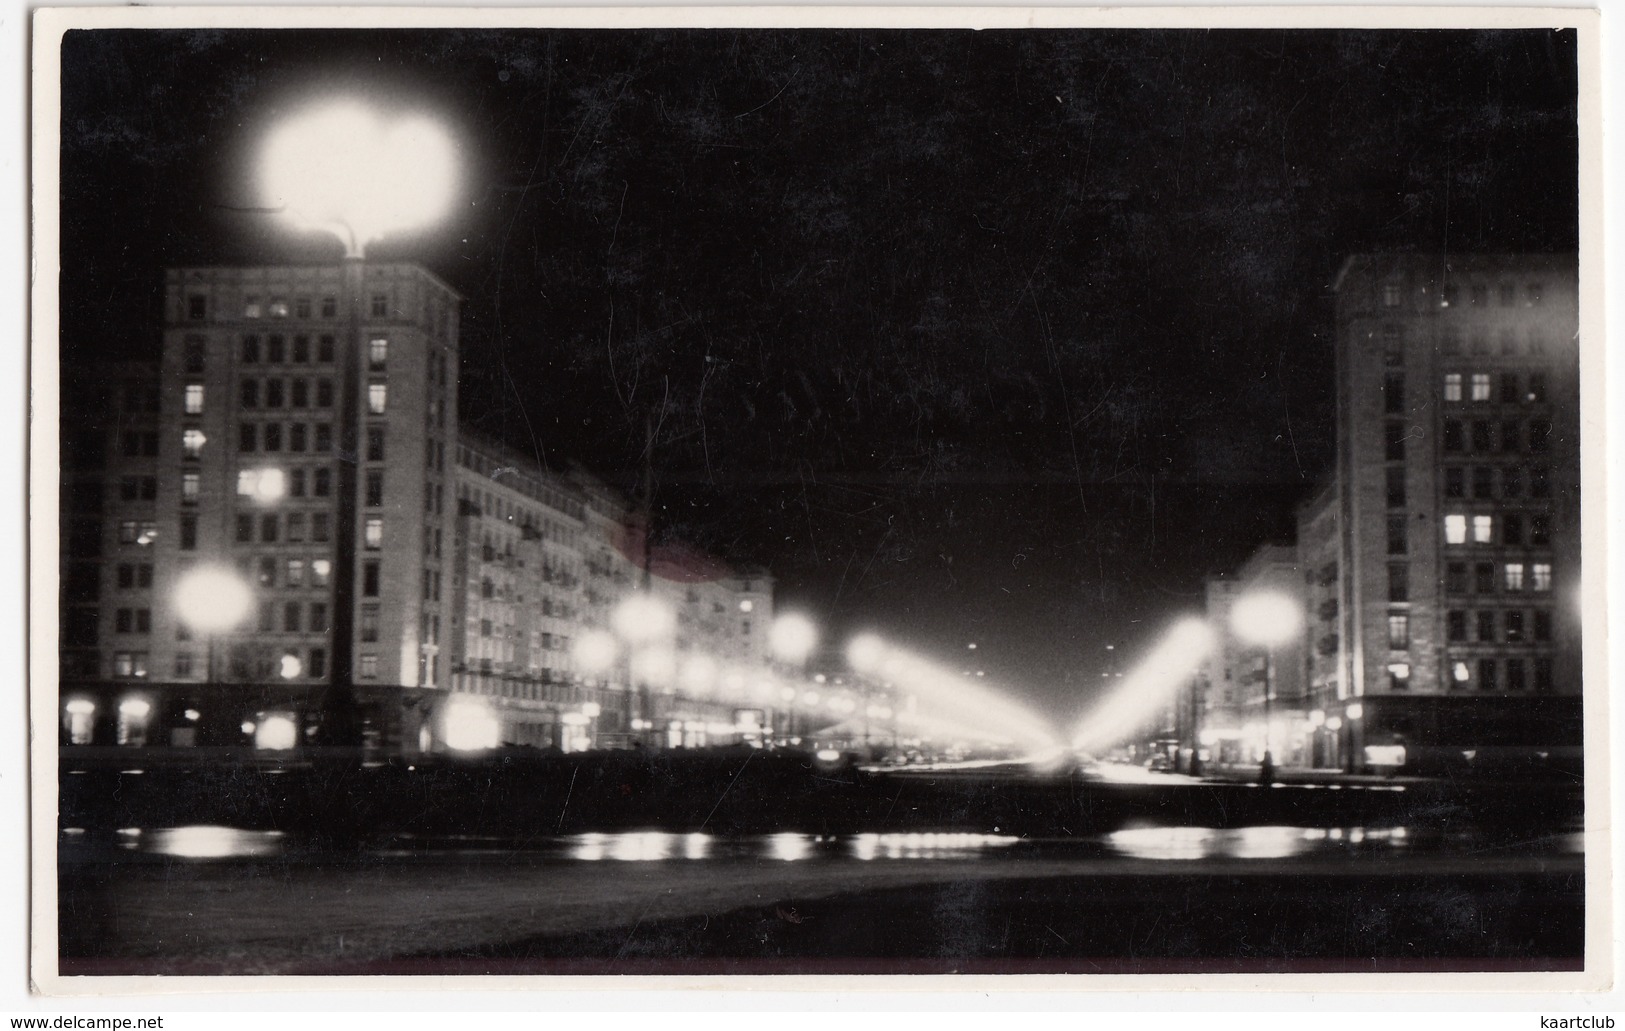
[(691, 498)]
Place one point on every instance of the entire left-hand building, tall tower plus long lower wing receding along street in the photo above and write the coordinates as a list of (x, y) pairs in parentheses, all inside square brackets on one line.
[(293, 406)]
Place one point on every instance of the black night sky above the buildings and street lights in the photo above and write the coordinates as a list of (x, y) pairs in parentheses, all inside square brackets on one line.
[(1005, 337)]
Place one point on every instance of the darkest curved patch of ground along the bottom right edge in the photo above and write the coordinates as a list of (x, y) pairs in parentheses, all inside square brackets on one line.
[(1104, 924)]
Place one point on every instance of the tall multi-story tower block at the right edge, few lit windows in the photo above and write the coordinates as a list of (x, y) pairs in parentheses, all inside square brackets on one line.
[(1458, 481)]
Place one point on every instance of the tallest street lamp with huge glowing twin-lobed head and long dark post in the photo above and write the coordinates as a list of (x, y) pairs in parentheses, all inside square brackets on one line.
[(347, 170)]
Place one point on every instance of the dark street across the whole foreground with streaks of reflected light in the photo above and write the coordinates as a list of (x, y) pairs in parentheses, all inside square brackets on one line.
[(1413, 895)]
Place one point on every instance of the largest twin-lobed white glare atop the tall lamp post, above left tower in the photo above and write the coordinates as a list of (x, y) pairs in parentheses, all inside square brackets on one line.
[(358, 175)]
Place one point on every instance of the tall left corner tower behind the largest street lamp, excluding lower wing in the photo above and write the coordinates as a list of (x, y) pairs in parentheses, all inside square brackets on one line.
[(293, 406)]
